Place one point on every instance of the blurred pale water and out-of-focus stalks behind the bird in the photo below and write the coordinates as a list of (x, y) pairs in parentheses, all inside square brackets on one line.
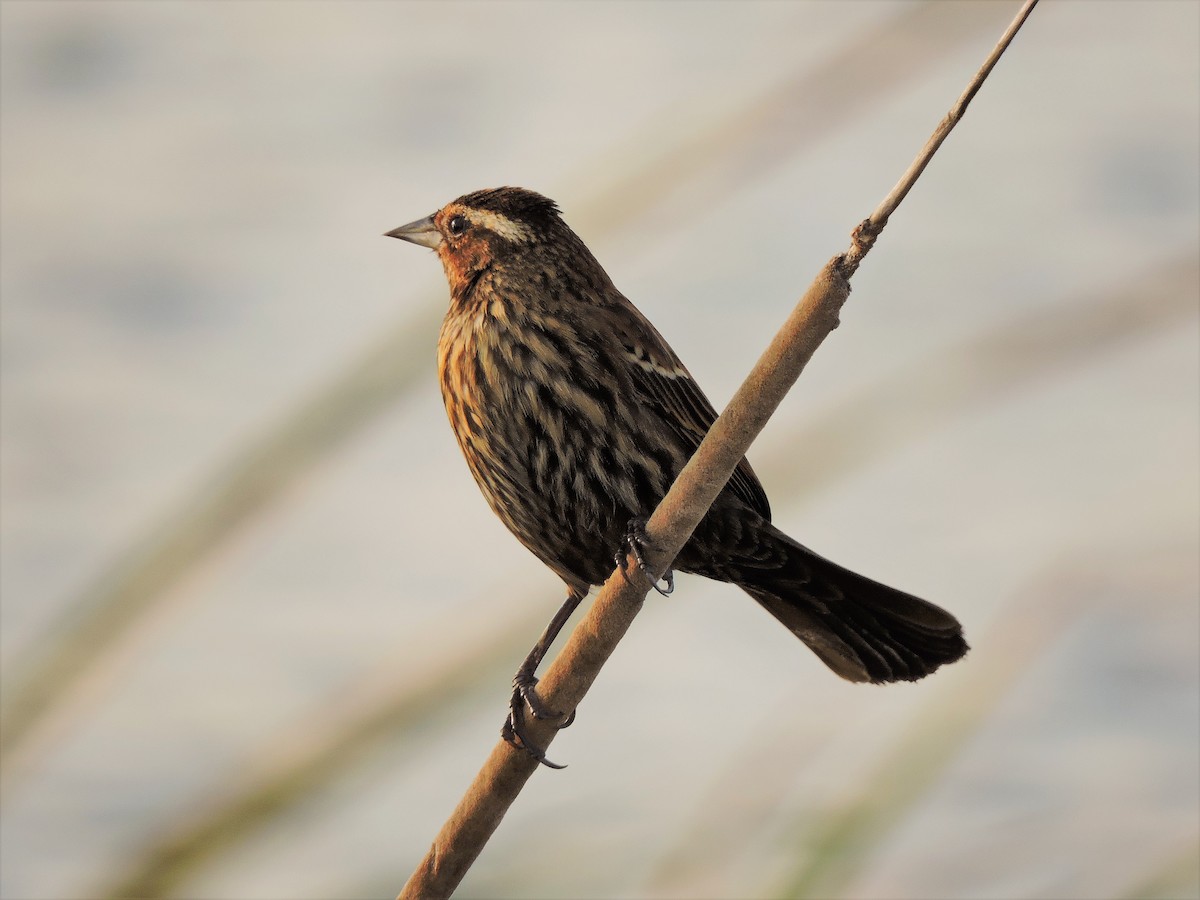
[(259, 623)]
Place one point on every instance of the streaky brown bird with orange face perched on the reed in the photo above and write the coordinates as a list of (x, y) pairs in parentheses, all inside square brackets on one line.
[(575, 416)]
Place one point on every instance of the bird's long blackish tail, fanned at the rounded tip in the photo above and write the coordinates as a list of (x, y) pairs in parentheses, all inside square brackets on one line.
[(863, 631)]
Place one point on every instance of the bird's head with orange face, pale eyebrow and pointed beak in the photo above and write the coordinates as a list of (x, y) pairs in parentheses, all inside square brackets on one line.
[(487, 229)]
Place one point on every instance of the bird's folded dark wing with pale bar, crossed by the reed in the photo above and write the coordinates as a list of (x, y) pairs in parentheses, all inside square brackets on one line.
[(676, 399)]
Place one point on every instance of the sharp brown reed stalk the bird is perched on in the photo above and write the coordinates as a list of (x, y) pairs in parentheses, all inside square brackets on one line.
[(569, 677)]
